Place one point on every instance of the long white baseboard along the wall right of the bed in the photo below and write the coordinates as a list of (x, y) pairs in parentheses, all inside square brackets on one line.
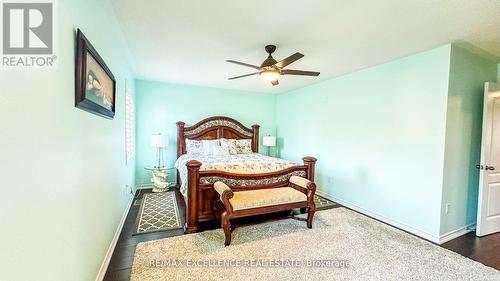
[(420, 233)]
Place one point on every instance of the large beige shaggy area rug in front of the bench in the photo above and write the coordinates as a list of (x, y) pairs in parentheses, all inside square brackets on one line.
[(343, 245)]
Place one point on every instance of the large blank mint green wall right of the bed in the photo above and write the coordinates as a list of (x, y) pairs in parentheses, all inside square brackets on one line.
[(379, 135)]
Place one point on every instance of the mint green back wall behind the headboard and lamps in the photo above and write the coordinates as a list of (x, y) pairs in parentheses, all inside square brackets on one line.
[(160, 105)]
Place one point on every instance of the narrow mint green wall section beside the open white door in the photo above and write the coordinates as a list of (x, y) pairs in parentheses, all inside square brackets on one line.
[(468, 73)]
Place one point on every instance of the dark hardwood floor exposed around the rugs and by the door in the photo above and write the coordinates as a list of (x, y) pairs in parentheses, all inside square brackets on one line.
[(485, 249)]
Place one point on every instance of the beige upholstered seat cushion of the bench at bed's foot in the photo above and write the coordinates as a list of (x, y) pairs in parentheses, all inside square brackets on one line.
[(266, 197)]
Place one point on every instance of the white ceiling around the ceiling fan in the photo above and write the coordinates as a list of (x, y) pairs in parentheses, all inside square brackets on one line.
[(188, 41)]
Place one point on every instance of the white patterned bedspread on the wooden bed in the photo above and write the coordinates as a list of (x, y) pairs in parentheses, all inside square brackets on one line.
[(251, 163)]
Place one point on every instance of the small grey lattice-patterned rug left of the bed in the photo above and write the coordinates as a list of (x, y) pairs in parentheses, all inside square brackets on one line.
[(158, 212)]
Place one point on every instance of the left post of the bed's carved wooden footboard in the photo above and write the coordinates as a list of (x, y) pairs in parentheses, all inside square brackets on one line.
[(191, 225)]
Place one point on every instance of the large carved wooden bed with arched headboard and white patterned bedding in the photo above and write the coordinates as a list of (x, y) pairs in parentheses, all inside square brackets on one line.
[(197, 173)]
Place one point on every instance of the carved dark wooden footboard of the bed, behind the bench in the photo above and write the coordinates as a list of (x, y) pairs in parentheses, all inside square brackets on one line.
[(201, 195)]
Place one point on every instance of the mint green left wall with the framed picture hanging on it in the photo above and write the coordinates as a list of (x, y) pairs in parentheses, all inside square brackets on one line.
[(63, 169)]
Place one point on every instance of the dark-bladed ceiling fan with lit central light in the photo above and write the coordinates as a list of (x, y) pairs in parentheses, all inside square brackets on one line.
[(270, 69)]
